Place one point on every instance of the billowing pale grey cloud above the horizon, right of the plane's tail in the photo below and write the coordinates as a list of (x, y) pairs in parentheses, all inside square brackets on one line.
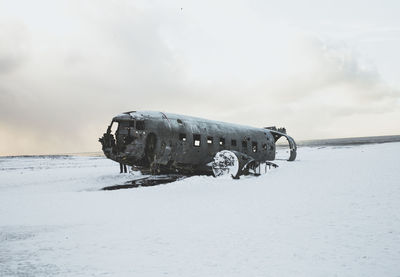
[(327, 84)]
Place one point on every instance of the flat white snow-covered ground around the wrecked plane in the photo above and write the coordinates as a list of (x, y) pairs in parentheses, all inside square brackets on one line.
[(333, 212)]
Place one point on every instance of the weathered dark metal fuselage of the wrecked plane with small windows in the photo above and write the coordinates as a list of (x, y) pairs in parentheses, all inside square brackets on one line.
[(163, 143)]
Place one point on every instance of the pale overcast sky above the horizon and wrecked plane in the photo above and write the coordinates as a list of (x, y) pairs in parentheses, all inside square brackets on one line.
[(322, 69)]
